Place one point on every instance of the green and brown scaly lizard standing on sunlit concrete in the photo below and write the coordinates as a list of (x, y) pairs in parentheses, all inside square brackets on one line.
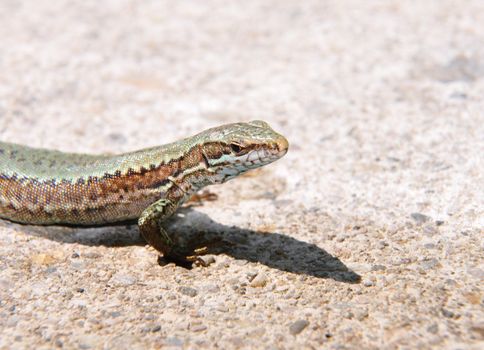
[(49, 187)]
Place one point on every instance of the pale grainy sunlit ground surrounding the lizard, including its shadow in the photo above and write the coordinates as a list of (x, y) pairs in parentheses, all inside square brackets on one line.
[(368, 234)]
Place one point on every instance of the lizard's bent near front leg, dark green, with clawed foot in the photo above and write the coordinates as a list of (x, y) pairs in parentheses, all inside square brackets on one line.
[(150, 226)]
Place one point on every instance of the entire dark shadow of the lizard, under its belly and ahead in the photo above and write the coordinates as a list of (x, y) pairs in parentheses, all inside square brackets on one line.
[(273, 249)]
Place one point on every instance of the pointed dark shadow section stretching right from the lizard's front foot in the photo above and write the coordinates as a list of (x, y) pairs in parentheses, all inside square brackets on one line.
[(272, 249)]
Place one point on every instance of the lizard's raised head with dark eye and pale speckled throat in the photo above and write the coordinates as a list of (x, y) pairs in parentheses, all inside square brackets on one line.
[(232, 149)]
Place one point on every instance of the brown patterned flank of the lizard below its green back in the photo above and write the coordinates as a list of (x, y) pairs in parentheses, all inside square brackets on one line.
[(96, 199)]
